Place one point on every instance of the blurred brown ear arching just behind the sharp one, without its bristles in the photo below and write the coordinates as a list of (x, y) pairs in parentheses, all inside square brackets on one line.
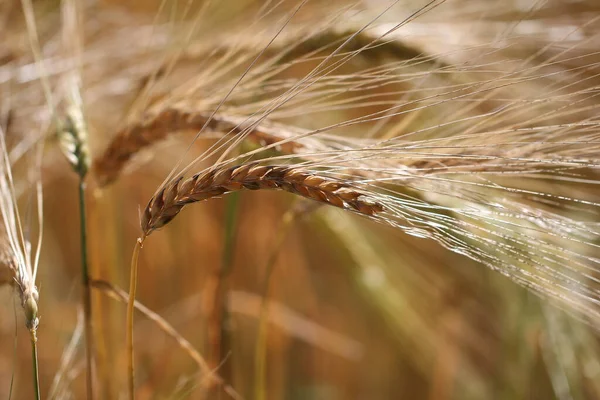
[(157, 125)]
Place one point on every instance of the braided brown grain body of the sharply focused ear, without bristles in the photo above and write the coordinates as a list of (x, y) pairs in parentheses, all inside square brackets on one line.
[(165, 206)]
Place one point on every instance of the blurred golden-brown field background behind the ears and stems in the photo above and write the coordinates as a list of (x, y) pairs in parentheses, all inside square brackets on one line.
[(346, 308)]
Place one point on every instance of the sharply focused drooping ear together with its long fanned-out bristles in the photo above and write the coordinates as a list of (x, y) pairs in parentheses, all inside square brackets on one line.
[(466, 159)]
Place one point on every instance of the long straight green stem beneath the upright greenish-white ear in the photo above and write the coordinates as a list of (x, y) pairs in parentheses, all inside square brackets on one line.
[(87, 293)]
